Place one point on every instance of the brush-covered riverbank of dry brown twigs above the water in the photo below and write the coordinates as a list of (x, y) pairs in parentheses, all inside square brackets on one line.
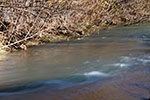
[(27, 23)]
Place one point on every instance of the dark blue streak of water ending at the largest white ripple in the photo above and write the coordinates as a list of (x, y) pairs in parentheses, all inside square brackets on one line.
[(58, 84)]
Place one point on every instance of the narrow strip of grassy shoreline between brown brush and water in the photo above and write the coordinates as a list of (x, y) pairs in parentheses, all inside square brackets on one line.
[(6, 50)]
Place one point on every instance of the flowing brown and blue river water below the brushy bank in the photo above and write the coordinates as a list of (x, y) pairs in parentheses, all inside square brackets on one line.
[(111, 64)]
